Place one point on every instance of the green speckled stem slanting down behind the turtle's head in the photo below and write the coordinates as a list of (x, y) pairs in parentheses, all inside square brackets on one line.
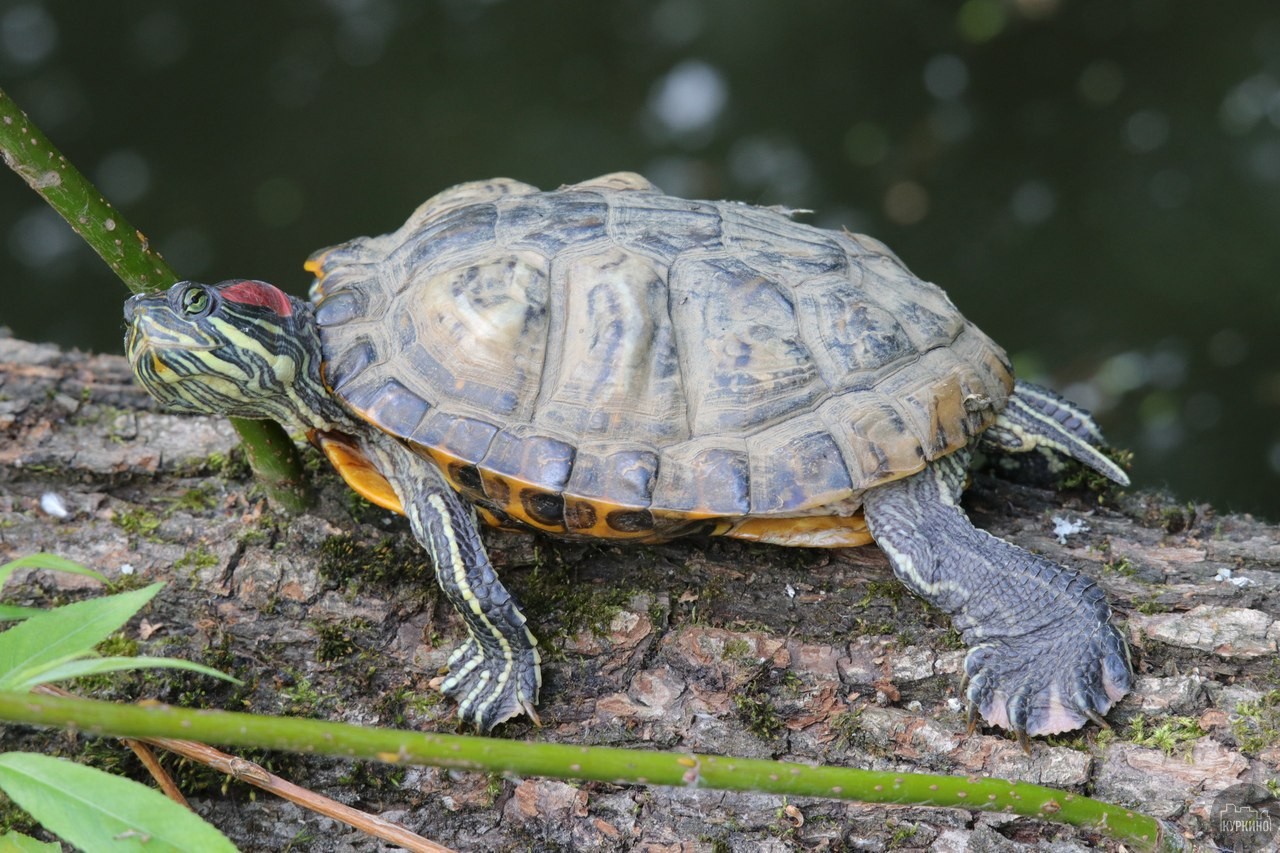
[(129, 253)]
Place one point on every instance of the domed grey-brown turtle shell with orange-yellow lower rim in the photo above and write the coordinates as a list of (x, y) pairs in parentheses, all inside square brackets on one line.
[(610, 361)]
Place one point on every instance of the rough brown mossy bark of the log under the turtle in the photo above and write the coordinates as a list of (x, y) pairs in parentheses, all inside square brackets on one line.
[(708, 646)]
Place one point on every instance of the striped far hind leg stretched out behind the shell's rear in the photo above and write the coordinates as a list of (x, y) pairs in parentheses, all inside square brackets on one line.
[(1037, 418)]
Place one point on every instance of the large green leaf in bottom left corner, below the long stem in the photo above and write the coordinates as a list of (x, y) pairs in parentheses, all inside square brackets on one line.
[(97, 811)]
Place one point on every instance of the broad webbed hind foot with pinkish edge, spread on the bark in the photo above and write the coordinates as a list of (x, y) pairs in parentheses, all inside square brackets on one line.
[(1037, 687)]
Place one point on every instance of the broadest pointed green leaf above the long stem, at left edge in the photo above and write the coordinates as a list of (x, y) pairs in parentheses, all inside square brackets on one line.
[(66, 633)]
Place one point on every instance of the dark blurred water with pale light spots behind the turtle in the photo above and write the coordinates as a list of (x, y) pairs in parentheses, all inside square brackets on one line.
[(1096, 184)]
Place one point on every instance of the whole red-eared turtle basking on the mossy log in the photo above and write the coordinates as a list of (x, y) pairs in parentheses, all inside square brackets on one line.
[(605, 361)]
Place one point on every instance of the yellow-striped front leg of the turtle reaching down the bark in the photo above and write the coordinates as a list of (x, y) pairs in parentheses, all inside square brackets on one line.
[(497, 673)]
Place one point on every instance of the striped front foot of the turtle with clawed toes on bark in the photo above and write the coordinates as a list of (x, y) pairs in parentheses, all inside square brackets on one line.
[(492, 690)]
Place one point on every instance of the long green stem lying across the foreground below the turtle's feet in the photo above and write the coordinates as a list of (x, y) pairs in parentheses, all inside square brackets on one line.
[(600, 764)]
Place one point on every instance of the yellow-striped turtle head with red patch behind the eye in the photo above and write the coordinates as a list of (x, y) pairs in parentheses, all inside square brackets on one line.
[(241, 348)]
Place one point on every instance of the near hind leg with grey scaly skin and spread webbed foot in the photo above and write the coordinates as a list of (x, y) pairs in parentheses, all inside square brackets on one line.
[(1044, 655)]
